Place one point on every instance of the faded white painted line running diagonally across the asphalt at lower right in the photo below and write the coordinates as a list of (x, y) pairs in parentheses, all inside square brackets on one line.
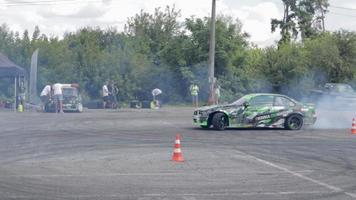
[(325, 185)]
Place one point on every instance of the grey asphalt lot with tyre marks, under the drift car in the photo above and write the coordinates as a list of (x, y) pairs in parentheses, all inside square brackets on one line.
[(125, 154)]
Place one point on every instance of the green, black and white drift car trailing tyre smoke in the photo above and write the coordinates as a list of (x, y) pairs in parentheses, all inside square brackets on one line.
[(257, 110)]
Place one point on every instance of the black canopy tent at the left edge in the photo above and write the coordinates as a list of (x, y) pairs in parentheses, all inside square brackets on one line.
[(8, 69)]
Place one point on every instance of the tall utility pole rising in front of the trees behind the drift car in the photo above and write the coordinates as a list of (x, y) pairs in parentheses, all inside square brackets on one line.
[(211, 99)]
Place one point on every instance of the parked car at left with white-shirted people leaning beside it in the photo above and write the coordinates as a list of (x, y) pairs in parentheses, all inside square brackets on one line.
[(72, 101)]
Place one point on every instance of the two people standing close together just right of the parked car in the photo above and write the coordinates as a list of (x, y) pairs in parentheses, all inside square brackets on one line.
[(109, 93)]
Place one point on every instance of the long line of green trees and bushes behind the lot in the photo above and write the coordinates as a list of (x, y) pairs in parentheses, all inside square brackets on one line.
[(157, 50)]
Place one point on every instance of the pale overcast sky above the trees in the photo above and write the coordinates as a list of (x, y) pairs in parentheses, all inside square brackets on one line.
[(54, 17)]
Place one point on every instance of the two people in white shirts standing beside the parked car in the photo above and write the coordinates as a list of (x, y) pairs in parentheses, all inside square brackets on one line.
[(54, 92)]
